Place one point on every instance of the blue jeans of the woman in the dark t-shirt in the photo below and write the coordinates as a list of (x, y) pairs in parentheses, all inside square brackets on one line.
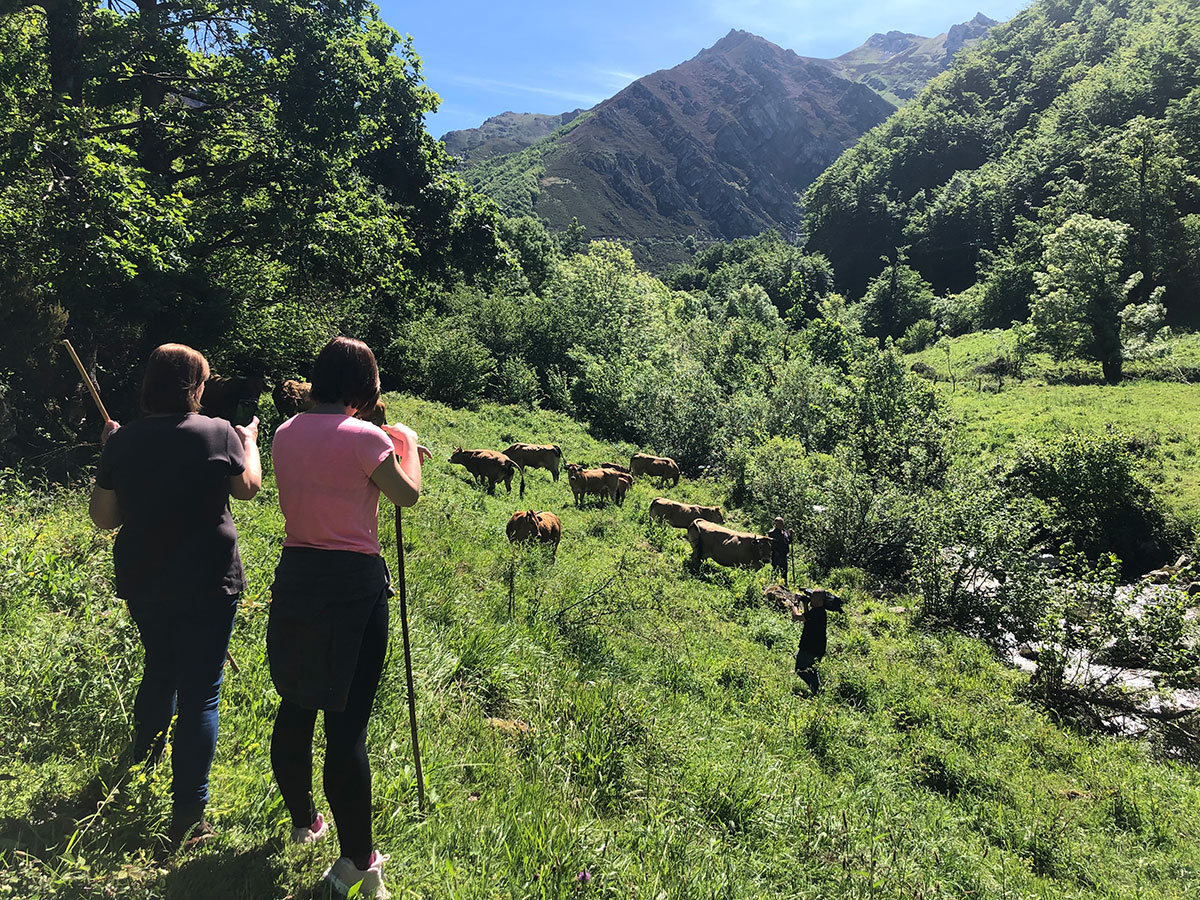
[(185, 649)]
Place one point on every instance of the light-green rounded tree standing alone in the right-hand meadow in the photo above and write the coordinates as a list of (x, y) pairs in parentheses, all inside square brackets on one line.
[(1084, 292)]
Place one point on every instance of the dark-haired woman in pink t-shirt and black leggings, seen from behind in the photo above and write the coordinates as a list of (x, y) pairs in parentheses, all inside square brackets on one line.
[(327, 639)]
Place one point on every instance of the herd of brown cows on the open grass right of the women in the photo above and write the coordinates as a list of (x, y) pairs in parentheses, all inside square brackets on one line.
[(611, 482)]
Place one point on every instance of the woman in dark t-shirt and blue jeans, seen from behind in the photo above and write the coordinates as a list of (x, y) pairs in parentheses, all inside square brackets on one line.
[(166, 481)]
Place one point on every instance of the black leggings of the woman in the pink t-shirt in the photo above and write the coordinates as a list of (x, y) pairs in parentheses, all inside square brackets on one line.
[(347, 777)]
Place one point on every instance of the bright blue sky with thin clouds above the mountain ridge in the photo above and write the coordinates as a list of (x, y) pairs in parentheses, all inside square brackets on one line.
[(538, 57)]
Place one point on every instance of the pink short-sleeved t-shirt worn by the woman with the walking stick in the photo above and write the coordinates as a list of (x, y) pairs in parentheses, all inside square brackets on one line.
[(323, 467)]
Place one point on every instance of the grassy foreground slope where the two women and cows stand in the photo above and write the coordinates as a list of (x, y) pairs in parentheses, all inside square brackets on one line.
[(671, 752)]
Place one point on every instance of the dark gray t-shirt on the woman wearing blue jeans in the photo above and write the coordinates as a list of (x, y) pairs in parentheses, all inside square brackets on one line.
[(172, 479)]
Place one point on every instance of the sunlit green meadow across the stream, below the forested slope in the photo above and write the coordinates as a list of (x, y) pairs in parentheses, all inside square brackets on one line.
[(1157, 406)]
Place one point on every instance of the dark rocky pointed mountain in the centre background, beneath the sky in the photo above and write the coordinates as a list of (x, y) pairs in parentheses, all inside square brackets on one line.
[(719, 146)]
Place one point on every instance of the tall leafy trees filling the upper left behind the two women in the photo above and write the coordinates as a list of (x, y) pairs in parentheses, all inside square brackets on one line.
[(248, 178)]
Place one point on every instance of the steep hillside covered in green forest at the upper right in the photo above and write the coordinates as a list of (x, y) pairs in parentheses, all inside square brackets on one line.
[(1075, 107)]
